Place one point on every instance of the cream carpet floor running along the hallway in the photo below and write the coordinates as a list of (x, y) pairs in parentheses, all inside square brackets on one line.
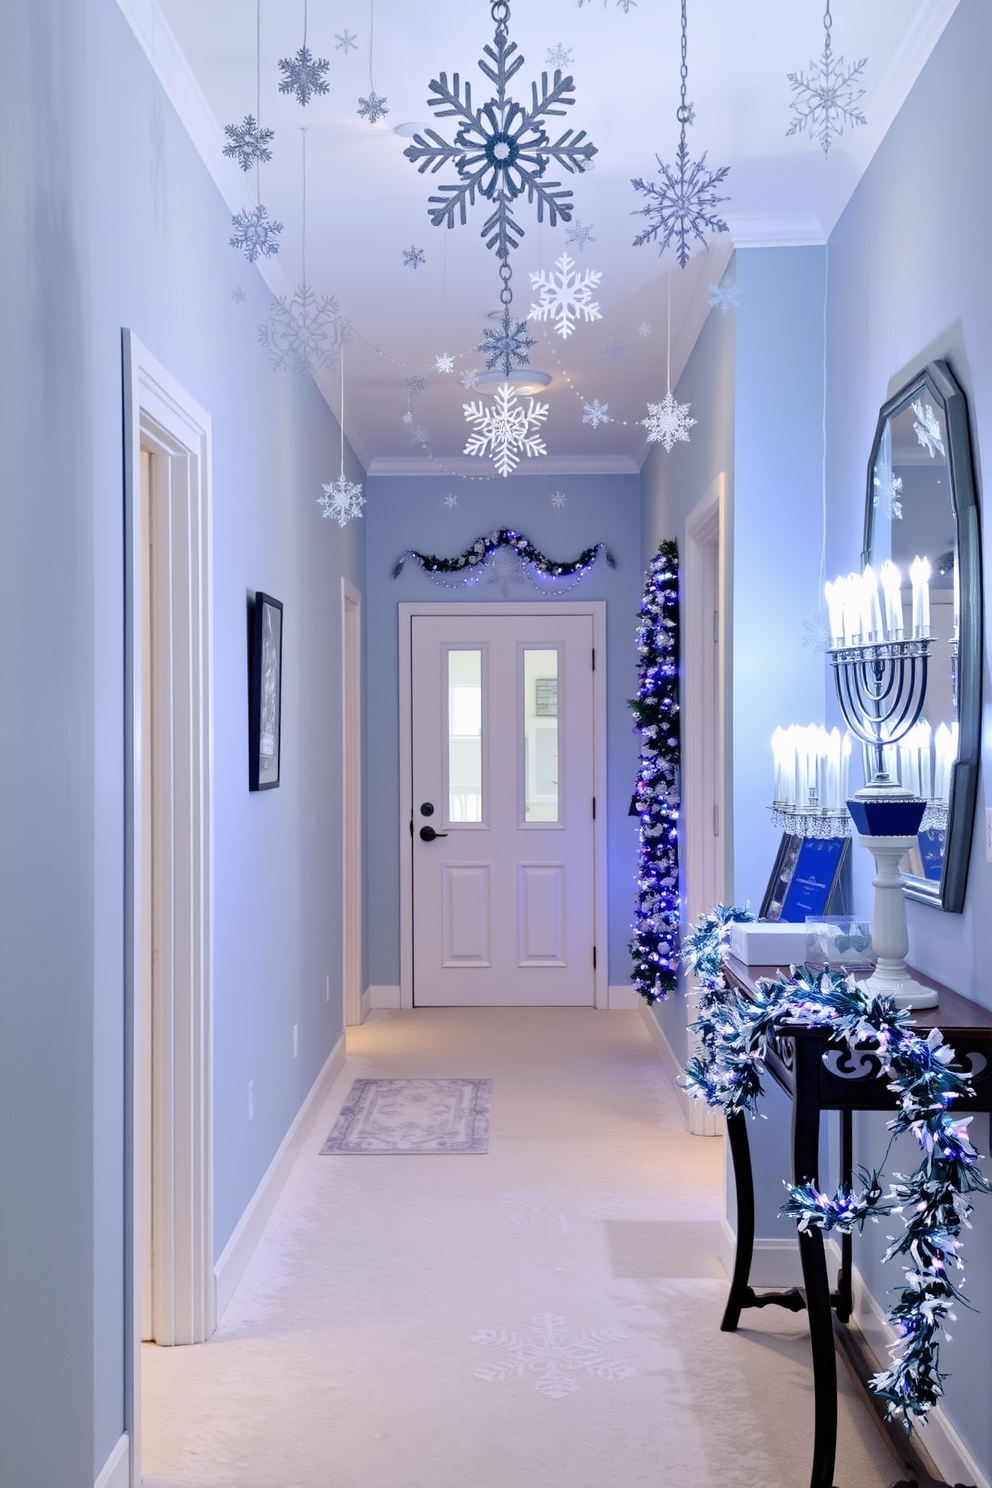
[(545, 1316)]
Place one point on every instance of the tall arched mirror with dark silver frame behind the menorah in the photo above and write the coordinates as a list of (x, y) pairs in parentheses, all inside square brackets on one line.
[(921, 502)]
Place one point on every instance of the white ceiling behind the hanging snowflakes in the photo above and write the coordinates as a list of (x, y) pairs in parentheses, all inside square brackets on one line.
[(367, 203)]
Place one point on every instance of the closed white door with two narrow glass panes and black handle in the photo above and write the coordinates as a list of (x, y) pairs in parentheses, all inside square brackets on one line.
[(503, 810)]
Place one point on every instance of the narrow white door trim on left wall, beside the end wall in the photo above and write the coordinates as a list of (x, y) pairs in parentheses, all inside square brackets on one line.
[(352, 800)]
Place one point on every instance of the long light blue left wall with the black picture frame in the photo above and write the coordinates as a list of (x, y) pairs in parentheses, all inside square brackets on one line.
[(112, 221)]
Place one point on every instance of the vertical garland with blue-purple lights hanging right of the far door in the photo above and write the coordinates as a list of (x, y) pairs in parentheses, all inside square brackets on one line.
[(657, 791)]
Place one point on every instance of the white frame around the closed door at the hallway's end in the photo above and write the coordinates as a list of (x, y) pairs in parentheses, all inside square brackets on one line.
[(597, 609)]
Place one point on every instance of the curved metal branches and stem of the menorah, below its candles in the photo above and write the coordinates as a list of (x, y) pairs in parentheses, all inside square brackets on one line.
[(881, 690)]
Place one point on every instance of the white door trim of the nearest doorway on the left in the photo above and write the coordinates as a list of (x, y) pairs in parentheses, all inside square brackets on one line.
[(158, 414)]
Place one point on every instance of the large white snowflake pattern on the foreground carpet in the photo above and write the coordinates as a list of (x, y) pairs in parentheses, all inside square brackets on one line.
[(551, 1353)]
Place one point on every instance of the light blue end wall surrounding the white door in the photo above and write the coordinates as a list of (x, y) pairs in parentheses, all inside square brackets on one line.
[(413, 514)]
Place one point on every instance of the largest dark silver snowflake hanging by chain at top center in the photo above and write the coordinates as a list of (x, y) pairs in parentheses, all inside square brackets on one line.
[(502, 151)]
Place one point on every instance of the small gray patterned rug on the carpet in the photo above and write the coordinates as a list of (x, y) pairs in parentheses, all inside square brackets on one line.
[(419, 1117)]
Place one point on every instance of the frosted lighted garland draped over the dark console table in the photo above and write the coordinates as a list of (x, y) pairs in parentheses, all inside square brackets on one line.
[(734, 1033)]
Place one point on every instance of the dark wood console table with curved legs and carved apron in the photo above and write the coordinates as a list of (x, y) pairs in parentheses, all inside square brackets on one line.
[(823, 1077)]
